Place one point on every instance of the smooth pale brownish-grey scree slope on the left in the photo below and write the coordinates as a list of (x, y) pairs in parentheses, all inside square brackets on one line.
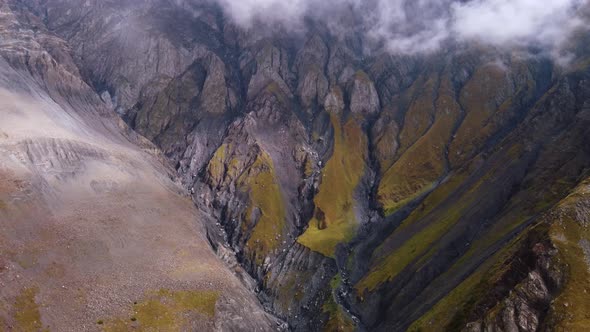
[(94, 233)]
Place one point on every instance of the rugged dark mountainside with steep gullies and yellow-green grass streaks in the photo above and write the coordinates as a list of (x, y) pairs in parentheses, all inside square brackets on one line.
[(359, 190)]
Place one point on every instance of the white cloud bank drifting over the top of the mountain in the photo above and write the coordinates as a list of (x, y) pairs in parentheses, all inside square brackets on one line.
[(418, 26)]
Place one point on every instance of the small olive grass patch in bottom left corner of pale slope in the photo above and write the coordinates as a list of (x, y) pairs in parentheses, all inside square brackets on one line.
[(27, 315)]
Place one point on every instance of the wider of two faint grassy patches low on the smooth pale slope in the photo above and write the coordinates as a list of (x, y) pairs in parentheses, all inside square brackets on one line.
[(165, 310)]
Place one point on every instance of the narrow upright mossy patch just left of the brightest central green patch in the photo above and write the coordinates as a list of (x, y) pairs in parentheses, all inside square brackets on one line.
[(265, 194)]
